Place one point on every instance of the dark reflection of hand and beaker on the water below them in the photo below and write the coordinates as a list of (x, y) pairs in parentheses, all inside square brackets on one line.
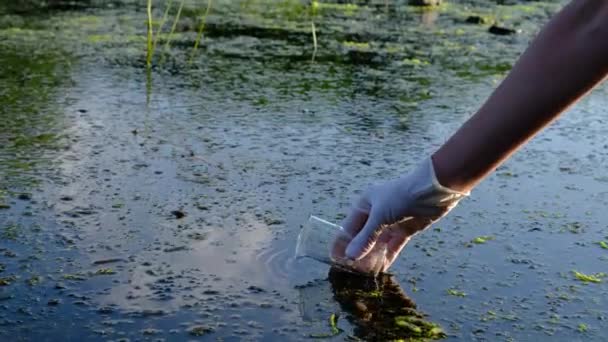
[(377, 309)]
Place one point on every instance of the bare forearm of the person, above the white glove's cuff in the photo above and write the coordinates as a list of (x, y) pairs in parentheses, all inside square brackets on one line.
[(566, 60)]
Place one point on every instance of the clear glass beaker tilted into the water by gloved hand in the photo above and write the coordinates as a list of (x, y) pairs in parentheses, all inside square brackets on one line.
[(326, 242)]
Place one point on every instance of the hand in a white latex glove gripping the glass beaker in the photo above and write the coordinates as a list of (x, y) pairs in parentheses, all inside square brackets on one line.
[(394, 211)]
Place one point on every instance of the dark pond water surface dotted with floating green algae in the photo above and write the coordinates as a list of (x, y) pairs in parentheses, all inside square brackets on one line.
[(98, 159)]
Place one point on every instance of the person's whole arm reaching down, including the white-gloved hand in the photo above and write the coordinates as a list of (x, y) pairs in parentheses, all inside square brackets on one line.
[(567, 59)]
